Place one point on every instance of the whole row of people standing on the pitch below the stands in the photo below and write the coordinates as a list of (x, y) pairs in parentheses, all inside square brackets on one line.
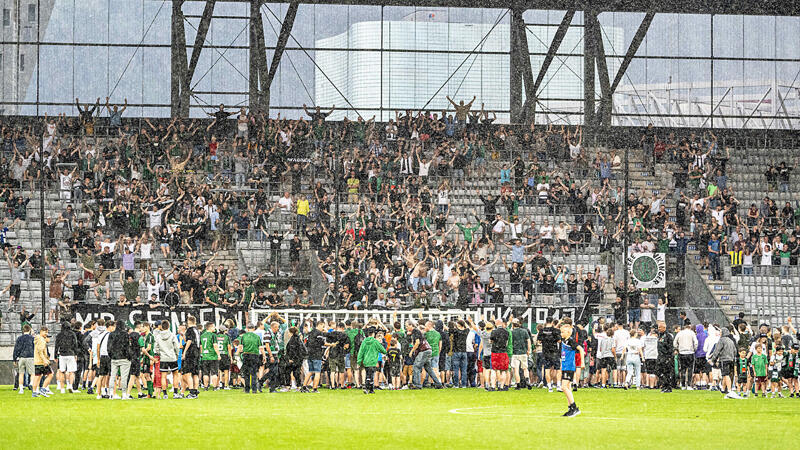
[(280, 354)]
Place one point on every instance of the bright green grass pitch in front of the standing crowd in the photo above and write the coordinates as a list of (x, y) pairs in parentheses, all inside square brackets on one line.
[(453, 418)]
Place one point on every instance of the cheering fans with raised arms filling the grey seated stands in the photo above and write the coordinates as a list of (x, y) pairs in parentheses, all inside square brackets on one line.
[(152, 205)]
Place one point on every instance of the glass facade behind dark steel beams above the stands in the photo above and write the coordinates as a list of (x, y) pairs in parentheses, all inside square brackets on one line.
[(690, 70)]
